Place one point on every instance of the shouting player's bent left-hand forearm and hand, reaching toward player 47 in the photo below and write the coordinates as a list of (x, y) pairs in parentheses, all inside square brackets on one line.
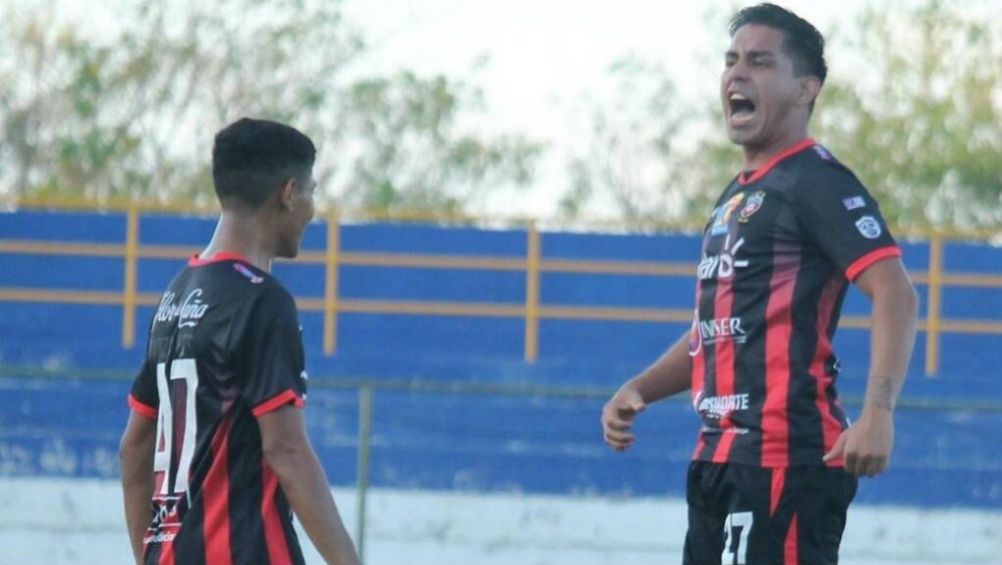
[(668, 376)]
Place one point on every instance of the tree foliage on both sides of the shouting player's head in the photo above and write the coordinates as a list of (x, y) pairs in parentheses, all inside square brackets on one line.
[(917, 116)]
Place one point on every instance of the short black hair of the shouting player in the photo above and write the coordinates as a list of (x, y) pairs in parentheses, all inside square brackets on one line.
[(803, 43)]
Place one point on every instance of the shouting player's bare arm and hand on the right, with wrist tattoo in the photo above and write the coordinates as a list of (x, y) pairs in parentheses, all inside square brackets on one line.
[(866, 446)]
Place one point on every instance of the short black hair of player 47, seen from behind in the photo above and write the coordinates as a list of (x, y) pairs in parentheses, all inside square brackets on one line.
[(253, 158)]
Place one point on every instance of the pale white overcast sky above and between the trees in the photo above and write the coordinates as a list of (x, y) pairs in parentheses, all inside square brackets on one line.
[(544, 65)]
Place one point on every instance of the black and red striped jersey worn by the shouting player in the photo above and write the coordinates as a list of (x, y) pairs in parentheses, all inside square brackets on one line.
[(779, 253)]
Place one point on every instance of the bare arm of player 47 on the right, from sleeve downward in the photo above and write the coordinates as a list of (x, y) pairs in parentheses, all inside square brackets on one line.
[(290, 454)]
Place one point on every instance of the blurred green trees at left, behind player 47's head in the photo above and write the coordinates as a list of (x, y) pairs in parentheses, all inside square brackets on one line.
[(132, 117)]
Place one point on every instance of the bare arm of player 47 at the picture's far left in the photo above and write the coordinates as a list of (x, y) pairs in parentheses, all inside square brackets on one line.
[(137, 455)]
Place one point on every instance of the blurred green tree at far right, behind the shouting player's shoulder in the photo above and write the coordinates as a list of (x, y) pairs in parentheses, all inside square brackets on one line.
[(921, 121)]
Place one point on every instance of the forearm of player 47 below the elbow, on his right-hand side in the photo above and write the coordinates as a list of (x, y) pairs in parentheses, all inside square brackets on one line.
[(305, 484)]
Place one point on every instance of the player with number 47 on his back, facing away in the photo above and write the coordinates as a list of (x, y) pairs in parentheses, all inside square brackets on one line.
[(216, 434)]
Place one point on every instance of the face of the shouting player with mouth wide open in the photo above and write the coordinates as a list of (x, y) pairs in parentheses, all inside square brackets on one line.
[(759, 90)]
